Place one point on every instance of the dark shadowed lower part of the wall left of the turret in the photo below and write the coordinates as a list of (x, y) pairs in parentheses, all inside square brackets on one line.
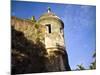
[(27, 56)]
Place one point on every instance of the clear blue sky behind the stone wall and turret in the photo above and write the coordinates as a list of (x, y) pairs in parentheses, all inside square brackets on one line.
[(79, 27)]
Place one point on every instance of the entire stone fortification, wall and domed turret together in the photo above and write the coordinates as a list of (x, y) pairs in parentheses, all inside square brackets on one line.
[(38, 46)]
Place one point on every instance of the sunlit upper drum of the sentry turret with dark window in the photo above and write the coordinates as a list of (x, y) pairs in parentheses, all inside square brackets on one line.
[(53, 33)]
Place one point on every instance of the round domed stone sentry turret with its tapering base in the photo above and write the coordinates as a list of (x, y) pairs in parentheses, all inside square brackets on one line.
[(54, 42)]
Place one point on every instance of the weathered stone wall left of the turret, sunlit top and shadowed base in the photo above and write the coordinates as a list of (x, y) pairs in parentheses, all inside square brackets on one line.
[(27, 47)]
